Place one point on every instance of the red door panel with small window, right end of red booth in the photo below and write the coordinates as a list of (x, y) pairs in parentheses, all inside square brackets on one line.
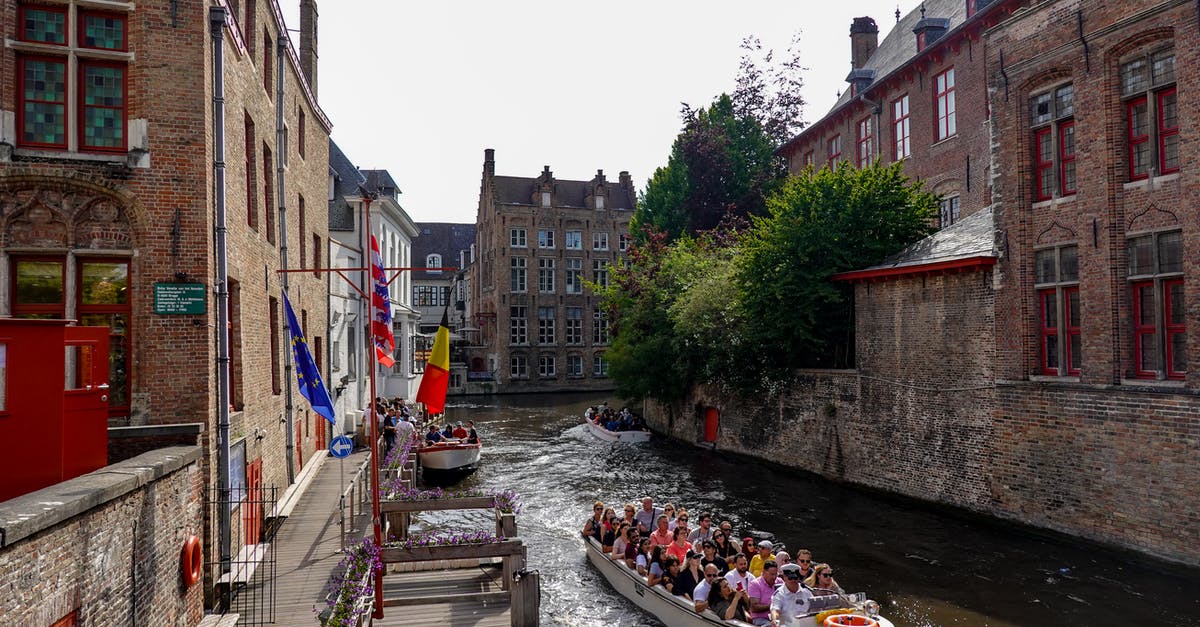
[(86, 401)]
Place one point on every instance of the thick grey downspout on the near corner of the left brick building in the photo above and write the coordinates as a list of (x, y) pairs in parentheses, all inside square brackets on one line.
[(217, 23)]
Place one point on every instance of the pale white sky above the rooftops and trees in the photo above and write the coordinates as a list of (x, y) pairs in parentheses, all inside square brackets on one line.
[(421, 89)]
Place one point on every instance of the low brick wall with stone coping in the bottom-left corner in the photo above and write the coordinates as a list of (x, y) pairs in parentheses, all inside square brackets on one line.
[(109, 548)]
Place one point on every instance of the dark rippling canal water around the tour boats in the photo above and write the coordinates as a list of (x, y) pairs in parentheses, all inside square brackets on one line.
[(925, 566)]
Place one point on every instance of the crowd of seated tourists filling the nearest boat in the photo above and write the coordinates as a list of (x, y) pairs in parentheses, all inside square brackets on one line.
[(701, 560)]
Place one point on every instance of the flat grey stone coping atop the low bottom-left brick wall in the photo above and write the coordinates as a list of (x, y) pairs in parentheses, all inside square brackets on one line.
[(34, 512)]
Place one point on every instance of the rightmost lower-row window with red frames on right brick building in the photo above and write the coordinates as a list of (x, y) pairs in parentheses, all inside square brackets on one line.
[(1156, 273)]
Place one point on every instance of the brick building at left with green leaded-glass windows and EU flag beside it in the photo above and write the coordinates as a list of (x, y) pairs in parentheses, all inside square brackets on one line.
[(109, 192)]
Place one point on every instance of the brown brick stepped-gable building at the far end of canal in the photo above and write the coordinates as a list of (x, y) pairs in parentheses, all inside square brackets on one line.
[(541, 238)]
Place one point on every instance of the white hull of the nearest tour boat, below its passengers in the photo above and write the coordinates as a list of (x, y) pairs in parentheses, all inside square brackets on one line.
[(680, 612)]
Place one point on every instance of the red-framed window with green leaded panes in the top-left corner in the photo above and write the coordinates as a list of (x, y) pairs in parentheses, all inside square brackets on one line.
[(58, 65)]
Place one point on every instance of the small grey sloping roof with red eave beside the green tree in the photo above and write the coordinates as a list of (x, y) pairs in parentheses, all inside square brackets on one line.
[(965, 244)]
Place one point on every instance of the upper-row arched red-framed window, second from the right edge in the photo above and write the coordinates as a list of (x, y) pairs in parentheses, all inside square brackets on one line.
[(1052, 117)]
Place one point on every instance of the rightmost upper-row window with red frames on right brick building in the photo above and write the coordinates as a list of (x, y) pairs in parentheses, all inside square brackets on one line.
[(1153, 124)]
